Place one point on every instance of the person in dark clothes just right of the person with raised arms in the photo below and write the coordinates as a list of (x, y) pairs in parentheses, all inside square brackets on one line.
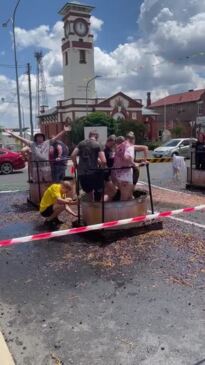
[(58, 159)]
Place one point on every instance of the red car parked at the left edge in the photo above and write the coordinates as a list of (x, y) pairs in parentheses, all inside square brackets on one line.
[(10, 161)]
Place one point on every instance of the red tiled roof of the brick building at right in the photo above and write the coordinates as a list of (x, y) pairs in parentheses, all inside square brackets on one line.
[(186, 97)]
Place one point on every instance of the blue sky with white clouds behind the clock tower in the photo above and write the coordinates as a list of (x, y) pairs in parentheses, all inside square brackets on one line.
[(140, 46)]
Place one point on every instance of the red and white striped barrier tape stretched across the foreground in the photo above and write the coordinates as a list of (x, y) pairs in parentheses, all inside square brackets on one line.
[(100, 226)]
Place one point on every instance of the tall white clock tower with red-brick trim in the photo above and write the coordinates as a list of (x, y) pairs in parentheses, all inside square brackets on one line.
[(78, 52)]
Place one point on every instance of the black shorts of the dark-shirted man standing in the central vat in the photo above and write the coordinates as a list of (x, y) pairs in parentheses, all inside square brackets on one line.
[(92, 182)]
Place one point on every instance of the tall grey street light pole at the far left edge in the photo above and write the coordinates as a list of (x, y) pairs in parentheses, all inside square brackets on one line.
[(12, 19)]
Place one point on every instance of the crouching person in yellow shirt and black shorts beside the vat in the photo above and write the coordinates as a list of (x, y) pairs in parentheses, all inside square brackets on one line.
[(56, 199)]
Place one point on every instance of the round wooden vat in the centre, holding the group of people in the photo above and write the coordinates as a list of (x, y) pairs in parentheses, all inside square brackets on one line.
[(92, 211)]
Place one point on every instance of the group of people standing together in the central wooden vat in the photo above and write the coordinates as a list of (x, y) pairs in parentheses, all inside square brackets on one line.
[(111, 170)]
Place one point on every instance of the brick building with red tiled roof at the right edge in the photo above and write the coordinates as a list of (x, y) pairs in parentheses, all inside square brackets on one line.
[(180, 110)]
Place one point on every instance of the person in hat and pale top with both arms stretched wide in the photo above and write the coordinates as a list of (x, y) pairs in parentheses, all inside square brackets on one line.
[(39, 154)]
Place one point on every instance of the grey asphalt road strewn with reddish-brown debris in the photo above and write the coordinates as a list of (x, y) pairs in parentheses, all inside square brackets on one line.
[(136, 300)]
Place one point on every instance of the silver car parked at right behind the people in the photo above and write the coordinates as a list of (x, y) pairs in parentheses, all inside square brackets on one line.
[(179, 146)]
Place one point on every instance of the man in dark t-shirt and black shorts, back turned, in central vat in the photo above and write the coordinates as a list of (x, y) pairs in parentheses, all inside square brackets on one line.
[(90, 156)]
